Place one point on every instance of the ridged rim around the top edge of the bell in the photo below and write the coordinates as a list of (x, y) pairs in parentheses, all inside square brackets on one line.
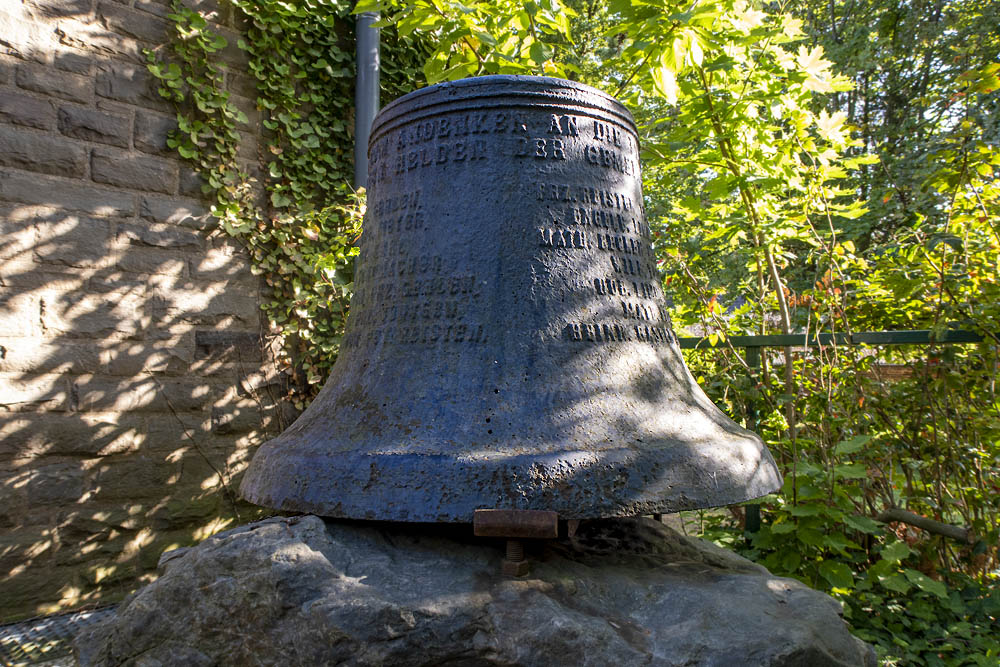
[(425, 98)]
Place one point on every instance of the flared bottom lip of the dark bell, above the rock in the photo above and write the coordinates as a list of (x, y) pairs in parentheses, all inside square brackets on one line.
[(441, 488)]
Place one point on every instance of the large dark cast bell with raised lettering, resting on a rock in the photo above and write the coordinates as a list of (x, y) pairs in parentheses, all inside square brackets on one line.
[(508, 344)]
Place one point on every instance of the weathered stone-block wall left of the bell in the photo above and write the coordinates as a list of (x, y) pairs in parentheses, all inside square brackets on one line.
[(132, 380)]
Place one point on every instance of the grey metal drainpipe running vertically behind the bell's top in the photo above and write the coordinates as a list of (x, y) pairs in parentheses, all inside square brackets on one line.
[(366, 92)]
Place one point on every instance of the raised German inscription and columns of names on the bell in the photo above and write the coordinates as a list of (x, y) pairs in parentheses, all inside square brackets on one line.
[(414, 299)]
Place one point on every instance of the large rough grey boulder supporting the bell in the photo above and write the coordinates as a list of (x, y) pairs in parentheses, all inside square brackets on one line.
[(299, 591)]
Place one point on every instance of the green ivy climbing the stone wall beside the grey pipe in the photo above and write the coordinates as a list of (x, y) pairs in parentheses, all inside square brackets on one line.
[(301, 237)]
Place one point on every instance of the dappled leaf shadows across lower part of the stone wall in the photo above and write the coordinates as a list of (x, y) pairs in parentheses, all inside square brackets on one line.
[(132, 397)]
